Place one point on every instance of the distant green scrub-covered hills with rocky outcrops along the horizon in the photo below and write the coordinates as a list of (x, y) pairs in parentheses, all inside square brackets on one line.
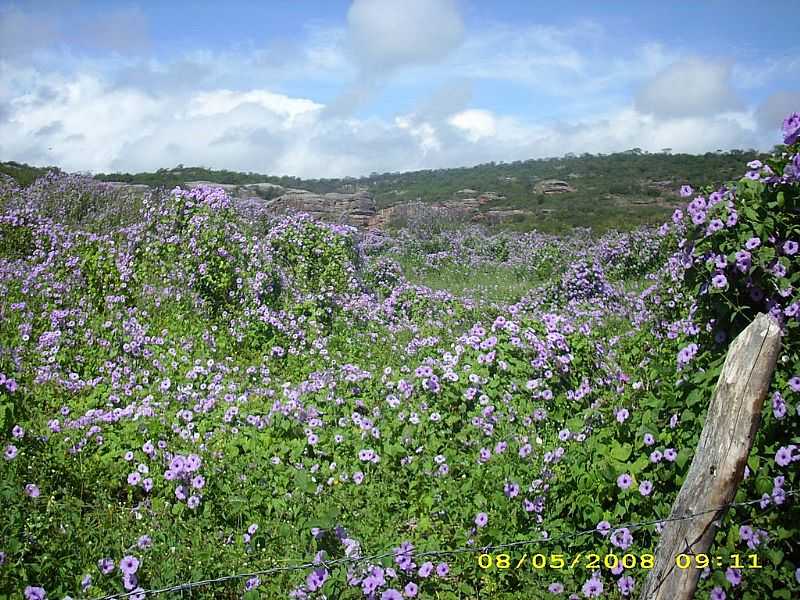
[(620, 190)]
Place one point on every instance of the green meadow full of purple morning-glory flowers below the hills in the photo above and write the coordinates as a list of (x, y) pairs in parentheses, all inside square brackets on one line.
[(191, 389)]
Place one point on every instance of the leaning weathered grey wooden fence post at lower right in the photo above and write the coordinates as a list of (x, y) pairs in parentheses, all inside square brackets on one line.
[(719, 460)]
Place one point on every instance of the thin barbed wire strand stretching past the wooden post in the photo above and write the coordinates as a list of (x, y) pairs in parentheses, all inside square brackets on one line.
[(373, 558)]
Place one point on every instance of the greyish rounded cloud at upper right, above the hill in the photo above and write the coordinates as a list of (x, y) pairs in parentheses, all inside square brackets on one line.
[(689, 88)]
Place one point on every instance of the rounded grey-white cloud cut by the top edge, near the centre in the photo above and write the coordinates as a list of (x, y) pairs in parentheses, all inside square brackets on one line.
[(386, 34)]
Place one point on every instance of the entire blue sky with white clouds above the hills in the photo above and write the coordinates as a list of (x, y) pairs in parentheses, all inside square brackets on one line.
[(330, 88)]
